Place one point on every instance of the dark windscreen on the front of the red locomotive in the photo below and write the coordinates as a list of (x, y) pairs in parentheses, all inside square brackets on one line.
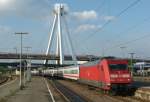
[(118, 67)]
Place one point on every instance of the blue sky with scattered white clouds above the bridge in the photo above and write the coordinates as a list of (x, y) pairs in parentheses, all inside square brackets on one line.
[(96, 27)]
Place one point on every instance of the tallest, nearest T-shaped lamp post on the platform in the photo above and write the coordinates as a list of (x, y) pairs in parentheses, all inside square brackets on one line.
[(21, 33)]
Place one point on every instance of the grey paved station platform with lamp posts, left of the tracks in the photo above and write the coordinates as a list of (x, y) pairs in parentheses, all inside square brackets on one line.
[(35, 91)]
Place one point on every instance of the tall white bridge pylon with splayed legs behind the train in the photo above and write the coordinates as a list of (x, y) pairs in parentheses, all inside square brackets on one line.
[(59, 13)]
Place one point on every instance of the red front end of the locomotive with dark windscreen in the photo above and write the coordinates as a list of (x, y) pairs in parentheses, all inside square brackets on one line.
[(120, 76)]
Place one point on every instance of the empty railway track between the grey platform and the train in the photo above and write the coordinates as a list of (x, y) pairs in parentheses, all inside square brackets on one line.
[(68, 95)]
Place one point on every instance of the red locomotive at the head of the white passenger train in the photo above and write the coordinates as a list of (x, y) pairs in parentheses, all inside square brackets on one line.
[(107, 74)]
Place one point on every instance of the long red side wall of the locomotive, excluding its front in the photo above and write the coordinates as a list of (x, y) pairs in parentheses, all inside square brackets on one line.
[(96, 75)]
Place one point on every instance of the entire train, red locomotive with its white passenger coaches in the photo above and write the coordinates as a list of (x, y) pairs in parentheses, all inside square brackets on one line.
[(110, 75)]
